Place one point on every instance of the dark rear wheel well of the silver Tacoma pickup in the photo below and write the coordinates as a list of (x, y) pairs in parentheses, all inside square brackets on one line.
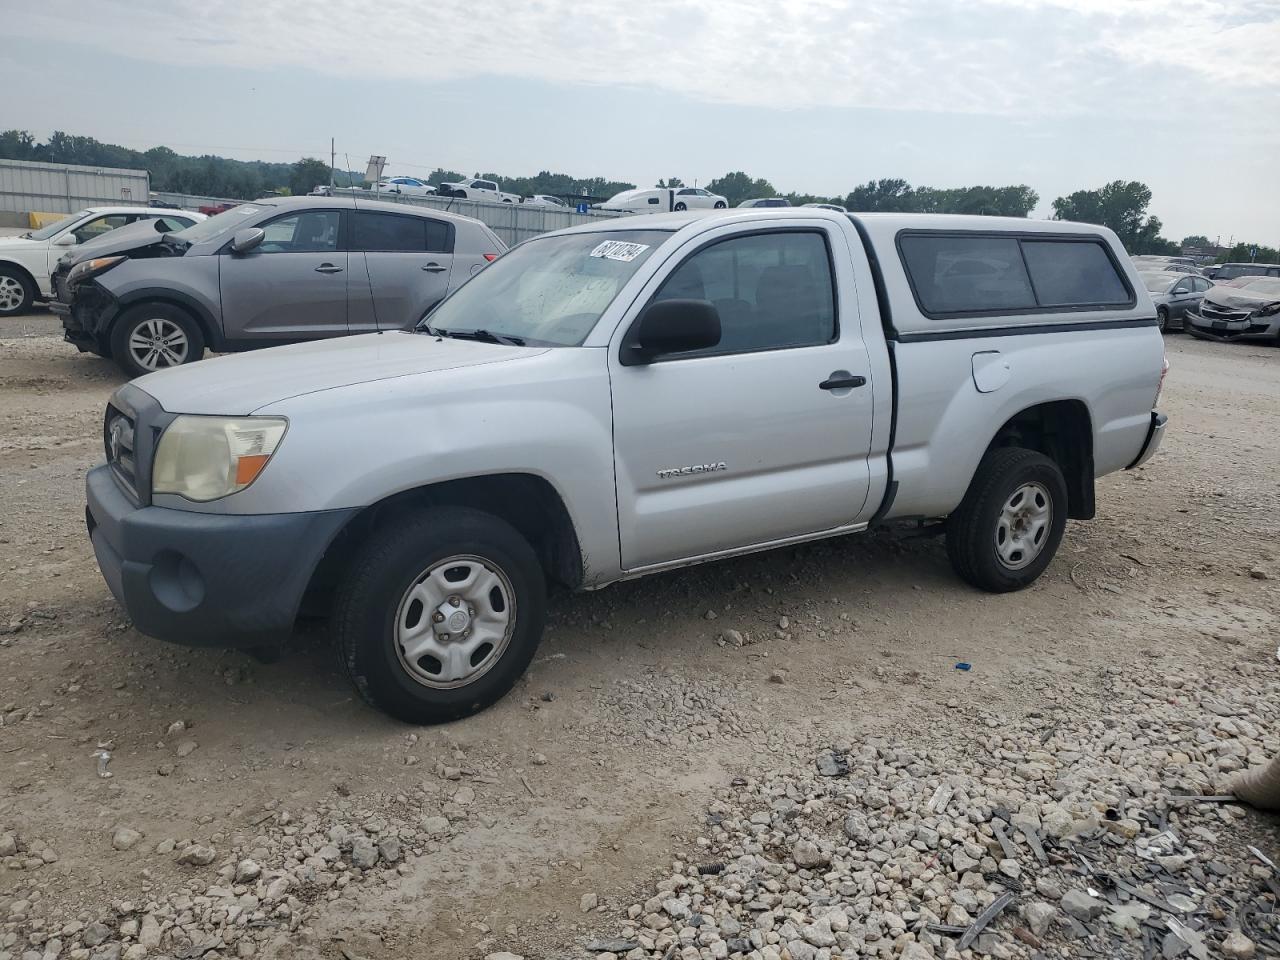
[(1063, 432)]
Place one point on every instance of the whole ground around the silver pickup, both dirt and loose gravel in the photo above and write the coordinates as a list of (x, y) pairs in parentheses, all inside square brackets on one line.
[(774, 757)]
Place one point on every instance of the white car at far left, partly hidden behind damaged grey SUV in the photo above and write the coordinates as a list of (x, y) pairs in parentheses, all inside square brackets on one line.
[(28, 262)]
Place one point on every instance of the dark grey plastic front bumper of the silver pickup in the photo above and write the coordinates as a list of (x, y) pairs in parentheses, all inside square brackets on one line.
[(205, 579)]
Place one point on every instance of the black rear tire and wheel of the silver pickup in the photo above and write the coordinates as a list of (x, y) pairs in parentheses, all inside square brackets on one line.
[(982, 520)]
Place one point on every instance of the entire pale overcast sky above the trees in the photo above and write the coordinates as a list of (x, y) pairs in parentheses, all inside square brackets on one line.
[(815, 95)]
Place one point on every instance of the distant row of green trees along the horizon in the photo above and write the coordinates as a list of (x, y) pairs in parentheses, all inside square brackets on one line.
[(1121, 205)]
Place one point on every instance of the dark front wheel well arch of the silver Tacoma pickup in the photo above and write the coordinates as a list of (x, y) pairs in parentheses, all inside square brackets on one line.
[(528, 502)]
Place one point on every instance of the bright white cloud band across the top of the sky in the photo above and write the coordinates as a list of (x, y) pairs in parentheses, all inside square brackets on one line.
[(998, 57)]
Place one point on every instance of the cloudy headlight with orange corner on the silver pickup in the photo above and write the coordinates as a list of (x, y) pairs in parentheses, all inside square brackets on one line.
[(205, 459)]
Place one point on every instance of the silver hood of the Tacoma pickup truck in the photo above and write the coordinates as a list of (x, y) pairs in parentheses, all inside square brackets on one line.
[(239, 385)]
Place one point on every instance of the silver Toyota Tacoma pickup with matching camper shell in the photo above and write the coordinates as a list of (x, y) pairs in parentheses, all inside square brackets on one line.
[(623, 399)]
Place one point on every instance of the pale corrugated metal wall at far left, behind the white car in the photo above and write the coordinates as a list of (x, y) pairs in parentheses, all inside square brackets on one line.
[(63, 189)]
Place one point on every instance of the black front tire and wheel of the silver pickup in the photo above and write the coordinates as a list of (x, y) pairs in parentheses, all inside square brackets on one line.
[(394, 587)]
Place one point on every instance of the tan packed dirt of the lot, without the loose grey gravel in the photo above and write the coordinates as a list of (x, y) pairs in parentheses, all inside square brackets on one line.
[(598, 770)]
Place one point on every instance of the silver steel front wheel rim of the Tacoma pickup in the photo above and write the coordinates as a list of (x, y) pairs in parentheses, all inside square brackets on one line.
[(455, 623)]
